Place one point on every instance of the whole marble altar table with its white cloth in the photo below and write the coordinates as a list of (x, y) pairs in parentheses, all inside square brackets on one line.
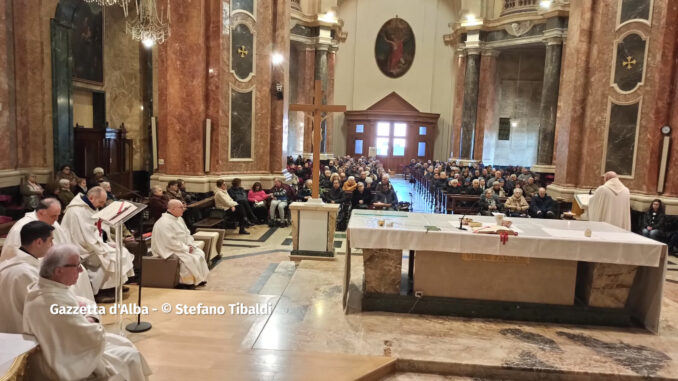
[(550, 263)]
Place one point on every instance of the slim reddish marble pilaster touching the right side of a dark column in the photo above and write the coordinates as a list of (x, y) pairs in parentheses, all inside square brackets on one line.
[(486, 100)]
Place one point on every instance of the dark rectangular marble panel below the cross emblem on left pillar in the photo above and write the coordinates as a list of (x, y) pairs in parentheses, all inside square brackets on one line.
[(241, 125)]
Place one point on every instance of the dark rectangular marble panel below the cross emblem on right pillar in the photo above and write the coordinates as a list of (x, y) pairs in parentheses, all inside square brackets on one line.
[(621, 138)]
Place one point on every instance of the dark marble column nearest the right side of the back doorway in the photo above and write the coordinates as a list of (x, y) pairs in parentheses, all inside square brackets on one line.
[(470, 106)]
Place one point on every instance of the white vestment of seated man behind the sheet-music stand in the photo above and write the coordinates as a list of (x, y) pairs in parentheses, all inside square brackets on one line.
[(97, 256)]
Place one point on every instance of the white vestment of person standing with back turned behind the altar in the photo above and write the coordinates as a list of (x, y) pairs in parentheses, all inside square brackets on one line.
[(611, 203)]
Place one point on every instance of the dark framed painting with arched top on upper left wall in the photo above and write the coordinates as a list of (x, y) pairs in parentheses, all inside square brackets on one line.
[(87, 43)]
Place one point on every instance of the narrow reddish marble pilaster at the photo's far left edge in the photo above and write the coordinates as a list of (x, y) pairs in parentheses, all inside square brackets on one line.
[(7, 117)]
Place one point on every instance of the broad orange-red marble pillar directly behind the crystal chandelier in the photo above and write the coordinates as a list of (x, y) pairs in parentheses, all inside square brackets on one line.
[(182, 88)]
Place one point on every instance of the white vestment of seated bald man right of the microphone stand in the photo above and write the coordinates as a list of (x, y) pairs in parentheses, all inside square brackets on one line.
[(171, 237)]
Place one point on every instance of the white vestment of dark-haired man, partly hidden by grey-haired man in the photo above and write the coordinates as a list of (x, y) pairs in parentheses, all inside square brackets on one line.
[(16, 275)]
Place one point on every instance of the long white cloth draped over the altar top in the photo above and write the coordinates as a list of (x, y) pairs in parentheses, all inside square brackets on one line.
[(537, 238)]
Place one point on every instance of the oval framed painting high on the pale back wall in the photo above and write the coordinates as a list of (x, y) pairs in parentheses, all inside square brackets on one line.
[(394, 48)]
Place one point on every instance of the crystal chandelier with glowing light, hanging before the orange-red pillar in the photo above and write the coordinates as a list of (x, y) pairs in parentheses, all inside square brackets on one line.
[(149, 27)]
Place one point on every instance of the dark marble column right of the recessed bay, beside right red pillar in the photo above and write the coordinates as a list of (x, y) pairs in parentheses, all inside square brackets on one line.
[(549, 100)]
